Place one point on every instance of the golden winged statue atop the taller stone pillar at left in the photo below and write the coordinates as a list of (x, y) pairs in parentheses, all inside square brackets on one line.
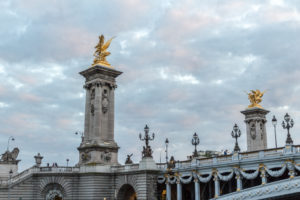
[(101, 52)]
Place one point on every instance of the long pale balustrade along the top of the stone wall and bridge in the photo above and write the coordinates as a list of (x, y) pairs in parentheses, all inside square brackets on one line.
[(223, 159)]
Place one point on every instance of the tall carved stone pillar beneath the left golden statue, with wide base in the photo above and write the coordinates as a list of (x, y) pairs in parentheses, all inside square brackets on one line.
[(98, 145)]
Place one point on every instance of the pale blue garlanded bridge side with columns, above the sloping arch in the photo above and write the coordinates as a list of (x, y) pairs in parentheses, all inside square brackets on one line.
[(231, 173)]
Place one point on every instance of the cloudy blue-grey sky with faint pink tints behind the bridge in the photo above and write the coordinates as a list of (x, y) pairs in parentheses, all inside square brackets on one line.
[(186, 64)]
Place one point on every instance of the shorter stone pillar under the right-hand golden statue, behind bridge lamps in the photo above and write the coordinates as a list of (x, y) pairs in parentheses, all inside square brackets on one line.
[(255, 119)]
